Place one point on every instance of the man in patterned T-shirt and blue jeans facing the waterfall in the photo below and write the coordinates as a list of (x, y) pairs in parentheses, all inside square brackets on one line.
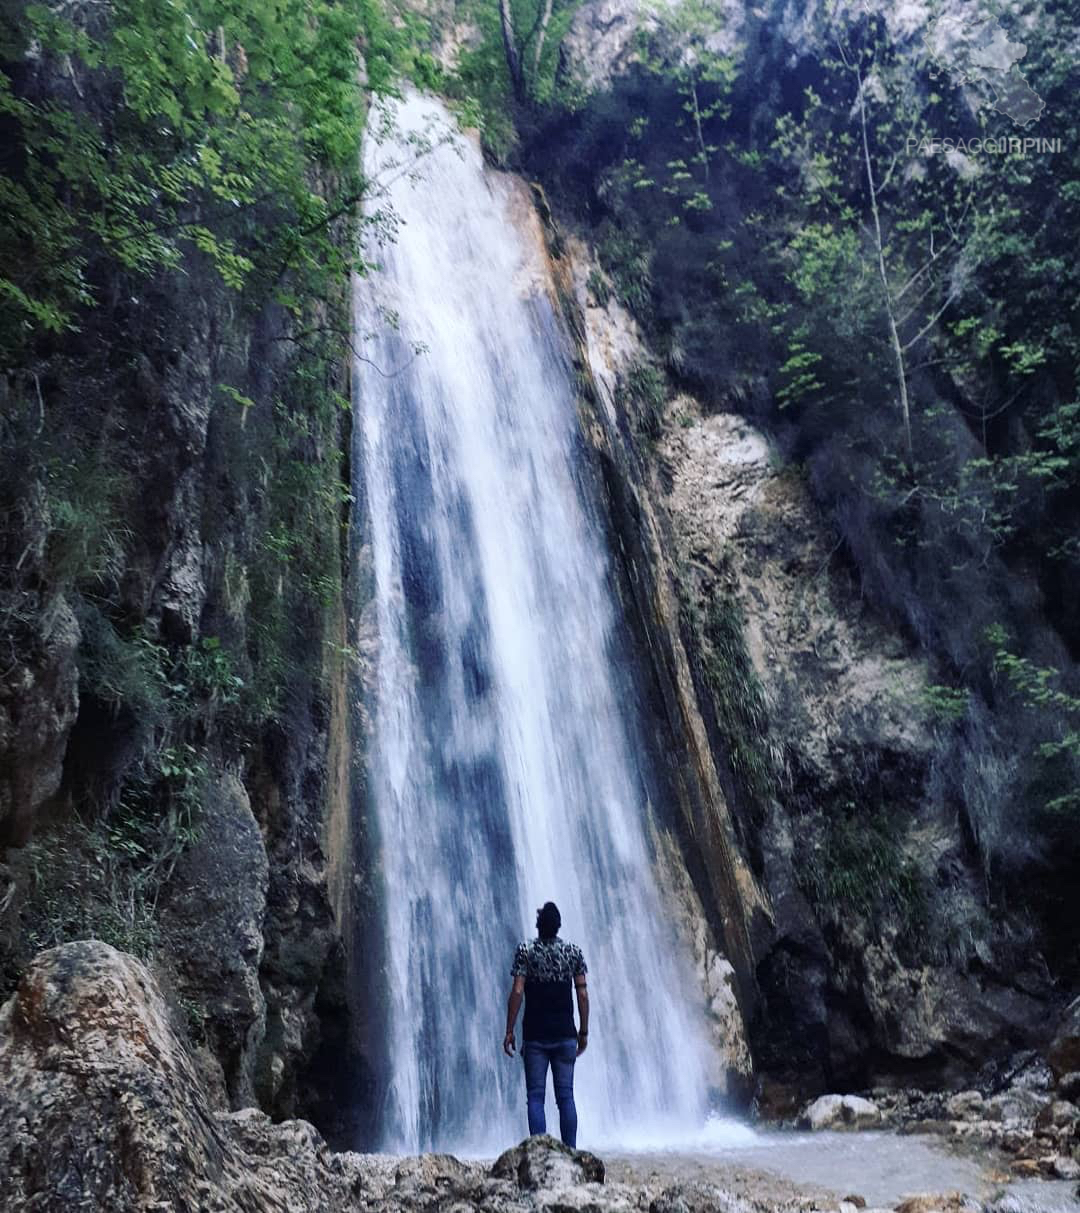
[(544, 970)]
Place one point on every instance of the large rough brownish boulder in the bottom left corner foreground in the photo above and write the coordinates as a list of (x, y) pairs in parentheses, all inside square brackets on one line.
[(101, 1108)]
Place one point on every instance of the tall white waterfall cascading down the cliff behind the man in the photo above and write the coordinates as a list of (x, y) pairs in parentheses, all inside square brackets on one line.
[(502, 768)]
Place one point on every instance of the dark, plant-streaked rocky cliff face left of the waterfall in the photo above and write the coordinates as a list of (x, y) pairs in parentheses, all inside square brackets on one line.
[(172, 710)]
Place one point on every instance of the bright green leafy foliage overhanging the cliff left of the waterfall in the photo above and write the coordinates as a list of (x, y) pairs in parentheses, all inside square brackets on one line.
[(231, 134)]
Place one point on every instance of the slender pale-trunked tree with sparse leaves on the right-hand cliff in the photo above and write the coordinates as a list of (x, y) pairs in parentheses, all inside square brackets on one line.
[(894, 246)]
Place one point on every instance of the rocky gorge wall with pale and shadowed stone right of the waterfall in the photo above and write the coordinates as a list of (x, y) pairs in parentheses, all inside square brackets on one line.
[(861, 848)]
